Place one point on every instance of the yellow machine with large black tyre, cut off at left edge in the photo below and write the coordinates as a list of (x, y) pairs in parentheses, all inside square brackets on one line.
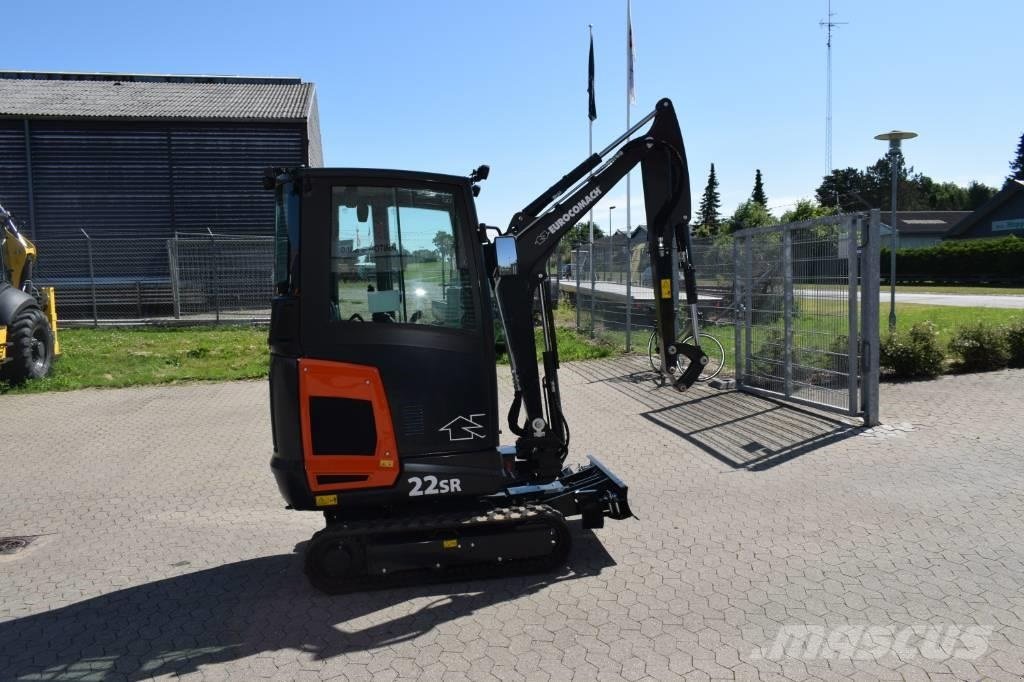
[(28, 314)]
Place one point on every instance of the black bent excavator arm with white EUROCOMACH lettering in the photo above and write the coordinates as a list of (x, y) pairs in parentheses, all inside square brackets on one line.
[(518, 261)]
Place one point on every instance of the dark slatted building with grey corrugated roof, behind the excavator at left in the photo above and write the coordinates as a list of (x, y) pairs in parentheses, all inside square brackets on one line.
[(133, 160)]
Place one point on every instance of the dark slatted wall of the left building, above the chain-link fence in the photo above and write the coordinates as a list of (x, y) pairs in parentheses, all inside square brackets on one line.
[(143, 180)]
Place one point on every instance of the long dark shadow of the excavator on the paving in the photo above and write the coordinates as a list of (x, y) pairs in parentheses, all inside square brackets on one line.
[(240, 610)]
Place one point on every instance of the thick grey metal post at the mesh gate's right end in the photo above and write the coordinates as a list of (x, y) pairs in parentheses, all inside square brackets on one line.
[(870, 319)]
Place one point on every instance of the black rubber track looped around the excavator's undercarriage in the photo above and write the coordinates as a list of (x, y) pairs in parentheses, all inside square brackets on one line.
[(370, 532)]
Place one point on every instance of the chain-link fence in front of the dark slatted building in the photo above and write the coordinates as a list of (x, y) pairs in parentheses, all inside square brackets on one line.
[(129, 280)]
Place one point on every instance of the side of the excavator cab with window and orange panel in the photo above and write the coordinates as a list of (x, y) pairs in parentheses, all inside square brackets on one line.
[(397, 333)]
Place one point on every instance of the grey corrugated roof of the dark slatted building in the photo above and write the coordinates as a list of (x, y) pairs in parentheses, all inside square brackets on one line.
[(106, 98)]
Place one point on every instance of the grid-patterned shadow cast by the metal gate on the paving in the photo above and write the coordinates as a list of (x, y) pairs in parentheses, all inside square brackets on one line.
[(741, 431)]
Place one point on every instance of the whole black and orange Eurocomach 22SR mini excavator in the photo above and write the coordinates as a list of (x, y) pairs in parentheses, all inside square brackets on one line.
[(383, 383)]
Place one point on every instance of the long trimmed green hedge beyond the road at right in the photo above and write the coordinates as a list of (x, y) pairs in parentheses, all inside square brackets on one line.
[(961, 261)]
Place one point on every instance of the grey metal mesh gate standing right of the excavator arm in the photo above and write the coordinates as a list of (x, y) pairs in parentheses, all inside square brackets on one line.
[(807, 313)]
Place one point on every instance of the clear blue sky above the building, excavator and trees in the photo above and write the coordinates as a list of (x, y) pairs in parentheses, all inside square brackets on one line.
[(447, 86)]
